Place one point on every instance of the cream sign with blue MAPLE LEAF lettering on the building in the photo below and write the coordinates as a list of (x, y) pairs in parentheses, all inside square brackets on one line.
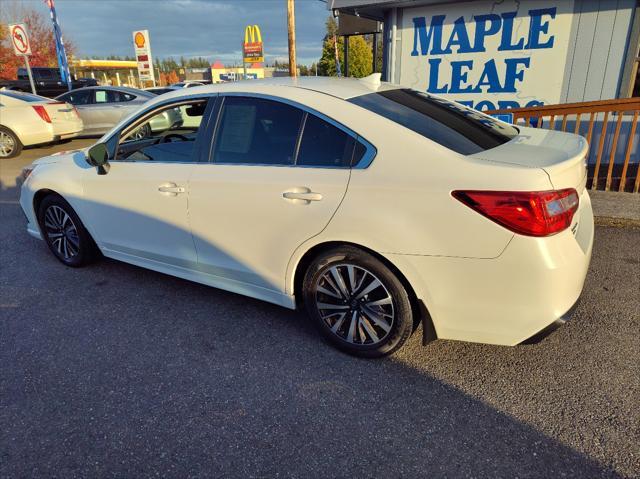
[(488, 55)]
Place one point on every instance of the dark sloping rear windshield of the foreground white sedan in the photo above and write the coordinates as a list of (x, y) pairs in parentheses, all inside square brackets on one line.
[(454, 126)]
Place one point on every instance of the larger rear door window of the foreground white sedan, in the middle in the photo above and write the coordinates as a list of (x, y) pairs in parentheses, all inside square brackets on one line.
[(257, 131)]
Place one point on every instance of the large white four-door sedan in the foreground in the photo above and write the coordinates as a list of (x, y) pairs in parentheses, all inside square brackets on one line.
[(373, 207)]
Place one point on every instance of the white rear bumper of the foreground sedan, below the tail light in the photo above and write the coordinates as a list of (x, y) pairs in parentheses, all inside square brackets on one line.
[(508, 299)]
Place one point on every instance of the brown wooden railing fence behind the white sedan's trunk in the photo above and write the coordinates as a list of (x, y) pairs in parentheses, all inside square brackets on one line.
[(620, 160)]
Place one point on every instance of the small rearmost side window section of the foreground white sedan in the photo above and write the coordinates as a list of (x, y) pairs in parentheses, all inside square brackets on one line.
[(324, 145)]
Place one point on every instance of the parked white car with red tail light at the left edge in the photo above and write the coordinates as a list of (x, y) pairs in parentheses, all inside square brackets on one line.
[(27, 119)]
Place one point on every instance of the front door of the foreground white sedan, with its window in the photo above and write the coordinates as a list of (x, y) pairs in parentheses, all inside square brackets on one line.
[(137, 212)]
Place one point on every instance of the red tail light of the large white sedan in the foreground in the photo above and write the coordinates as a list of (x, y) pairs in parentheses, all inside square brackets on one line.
[(538, 213)]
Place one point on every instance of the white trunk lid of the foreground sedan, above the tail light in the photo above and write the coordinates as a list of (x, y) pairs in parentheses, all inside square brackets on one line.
[(561, 155)]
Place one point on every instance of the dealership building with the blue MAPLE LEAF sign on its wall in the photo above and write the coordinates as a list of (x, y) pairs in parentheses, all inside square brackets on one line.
[(513, 53)]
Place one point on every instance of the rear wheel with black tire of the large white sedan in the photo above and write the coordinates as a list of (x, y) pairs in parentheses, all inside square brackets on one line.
[(393, 311)]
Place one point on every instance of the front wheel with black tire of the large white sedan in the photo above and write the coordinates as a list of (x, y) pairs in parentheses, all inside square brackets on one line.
[(72, 249)]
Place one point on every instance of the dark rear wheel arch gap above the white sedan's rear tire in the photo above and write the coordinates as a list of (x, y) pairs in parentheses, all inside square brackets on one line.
[(419, 309)]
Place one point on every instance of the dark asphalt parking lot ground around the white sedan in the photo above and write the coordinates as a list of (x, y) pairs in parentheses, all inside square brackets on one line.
[(115, 371)]
